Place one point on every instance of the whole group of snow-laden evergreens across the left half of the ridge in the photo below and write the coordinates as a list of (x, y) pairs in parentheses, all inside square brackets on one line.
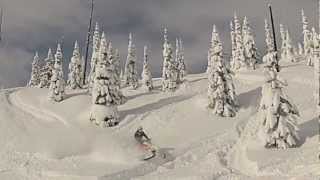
[(105, 78)]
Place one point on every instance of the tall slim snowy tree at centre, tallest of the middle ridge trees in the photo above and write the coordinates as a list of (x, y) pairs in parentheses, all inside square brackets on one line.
[(169, 71)]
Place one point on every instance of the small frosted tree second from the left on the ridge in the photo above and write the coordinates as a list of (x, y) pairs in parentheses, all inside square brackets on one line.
[(46, 70)]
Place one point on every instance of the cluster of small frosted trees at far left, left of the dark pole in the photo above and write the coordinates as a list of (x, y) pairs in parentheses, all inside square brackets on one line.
[(49, 73)]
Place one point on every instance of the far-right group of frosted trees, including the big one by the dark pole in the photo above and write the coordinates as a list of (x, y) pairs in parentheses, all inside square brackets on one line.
[(279, 114)]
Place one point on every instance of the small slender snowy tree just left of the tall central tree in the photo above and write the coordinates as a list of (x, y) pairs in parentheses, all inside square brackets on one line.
[(146, 72)]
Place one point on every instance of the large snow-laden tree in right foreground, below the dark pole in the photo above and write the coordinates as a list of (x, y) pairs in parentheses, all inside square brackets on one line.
[(279, 115)]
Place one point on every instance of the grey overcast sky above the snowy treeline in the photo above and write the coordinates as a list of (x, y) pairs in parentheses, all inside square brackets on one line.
[(36, 25)]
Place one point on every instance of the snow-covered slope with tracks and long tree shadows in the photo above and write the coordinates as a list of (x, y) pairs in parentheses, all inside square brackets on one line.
[(44, 140)]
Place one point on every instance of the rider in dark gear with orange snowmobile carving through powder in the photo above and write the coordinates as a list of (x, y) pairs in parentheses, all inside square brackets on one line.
[(145, 144)]
